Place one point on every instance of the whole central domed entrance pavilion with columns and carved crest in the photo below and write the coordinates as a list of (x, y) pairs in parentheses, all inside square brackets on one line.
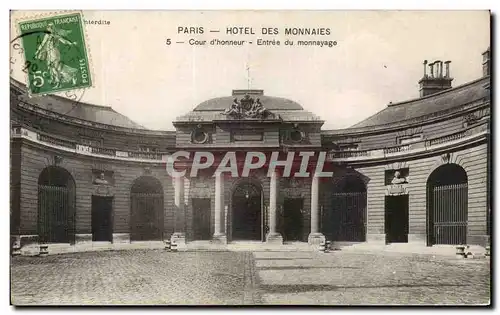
[(246, 149)]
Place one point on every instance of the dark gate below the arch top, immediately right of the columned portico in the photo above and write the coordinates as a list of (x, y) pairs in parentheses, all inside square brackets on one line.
[(348, 217)]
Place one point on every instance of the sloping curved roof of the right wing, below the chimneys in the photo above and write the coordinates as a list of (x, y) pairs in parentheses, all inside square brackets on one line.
[(442, 101)]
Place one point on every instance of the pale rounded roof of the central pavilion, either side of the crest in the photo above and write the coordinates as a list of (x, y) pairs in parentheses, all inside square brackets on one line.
[(269, 102)]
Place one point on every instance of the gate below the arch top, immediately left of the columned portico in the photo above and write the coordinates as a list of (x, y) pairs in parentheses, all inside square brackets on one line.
[(147, 216)]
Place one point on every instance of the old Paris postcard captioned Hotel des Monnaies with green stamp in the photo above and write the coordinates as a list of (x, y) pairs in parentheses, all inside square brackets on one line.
[(331, 158)]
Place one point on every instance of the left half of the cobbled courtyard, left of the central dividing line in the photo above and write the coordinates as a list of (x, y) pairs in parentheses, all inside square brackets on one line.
[(133, 277)]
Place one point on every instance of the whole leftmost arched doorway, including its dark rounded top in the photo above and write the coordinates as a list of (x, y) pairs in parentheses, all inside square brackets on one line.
[(56, 206)]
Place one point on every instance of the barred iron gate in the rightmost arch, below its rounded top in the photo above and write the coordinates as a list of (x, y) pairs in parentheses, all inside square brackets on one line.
[(449, 214)]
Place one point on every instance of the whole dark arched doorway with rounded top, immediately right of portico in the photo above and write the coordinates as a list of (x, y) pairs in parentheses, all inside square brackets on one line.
[(346, 218)]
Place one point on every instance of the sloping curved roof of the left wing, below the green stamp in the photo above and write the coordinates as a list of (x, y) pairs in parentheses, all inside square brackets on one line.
[(96, 113)]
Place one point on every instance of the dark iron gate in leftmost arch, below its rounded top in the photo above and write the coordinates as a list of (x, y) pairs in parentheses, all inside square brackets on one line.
[(55, 214)]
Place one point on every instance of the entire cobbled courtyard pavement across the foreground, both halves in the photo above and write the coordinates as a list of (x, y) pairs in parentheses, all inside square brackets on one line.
[(242, 278)]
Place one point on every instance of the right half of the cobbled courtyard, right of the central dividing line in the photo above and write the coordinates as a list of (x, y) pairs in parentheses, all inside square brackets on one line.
[(345, 278)]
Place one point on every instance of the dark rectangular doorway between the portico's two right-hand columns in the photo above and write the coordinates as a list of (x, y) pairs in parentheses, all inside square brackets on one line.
[(293, 220)]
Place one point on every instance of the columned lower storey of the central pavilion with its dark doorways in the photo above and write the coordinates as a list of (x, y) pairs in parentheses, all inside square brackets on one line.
[(254, 208)]
